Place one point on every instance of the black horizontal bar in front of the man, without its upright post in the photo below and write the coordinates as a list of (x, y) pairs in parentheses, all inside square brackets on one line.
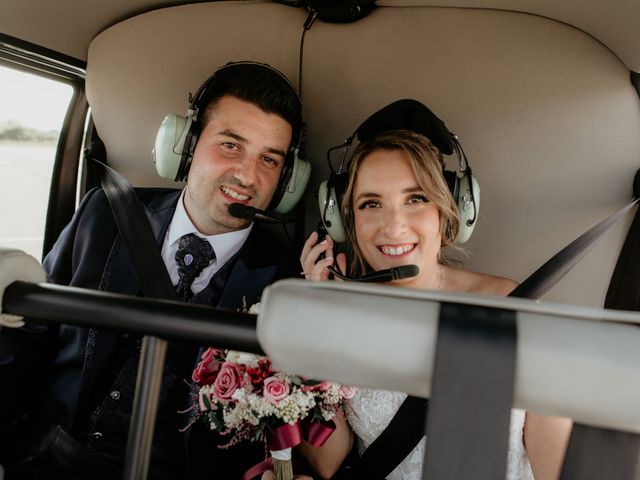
[(169, 320)]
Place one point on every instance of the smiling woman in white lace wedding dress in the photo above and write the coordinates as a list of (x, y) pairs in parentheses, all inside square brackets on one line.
[(397, 210)]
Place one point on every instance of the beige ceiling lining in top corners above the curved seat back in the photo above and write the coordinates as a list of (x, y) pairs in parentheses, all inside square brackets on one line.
[(67, 26)]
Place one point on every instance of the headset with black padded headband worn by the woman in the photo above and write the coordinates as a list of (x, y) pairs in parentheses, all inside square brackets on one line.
[(403, 115)]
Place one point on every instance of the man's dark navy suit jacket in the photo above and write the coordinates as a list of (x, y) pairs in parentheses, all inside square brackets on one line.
[(79, 361)]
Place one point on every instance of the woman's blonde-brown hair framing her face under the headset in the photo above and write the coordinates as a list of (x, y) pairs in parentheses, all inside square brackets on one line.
[(427, 165)]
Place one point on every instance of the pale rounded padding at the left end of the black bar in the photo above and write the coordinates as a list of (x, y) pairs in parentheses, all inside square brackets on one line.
[(17, 265)]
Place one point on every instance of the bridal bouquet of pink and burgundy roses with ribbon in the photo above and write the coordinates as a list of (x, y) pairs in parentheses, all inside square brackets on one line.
[(242, 396)]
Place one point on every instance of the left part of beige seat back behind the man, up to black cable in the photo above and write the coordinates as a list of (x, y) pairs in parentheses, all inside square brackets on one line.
[(144, 67)]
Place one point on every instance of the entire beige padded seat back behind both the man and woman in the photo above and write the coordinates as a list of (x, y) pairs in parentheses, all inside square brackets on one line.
[(546, 113)]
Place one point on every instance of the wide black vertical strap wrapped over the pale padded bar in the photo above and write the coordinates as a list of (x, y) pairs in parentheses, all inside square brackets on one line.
[(472, 394)]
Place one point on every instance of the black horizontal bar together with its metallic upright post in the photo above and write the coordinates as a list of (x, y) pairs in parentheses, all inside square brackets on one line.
[(167, 319)]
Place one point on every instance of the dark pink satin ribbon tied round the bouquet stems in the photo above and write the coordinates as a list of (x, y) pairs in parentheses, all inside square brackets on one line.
[(288, 436)]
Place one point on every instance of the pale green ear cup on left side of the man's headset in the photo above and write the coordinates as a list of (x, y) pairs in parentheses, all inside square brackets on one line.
[(169, 145)]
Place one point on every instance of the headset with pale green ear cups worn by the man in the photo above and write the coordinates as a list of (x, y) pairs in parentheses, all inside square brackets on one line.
[(177, 137)]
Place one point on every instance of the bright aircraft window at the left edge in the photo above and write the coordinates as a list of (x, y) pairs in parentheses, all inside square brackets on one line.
[(31, 116)]
